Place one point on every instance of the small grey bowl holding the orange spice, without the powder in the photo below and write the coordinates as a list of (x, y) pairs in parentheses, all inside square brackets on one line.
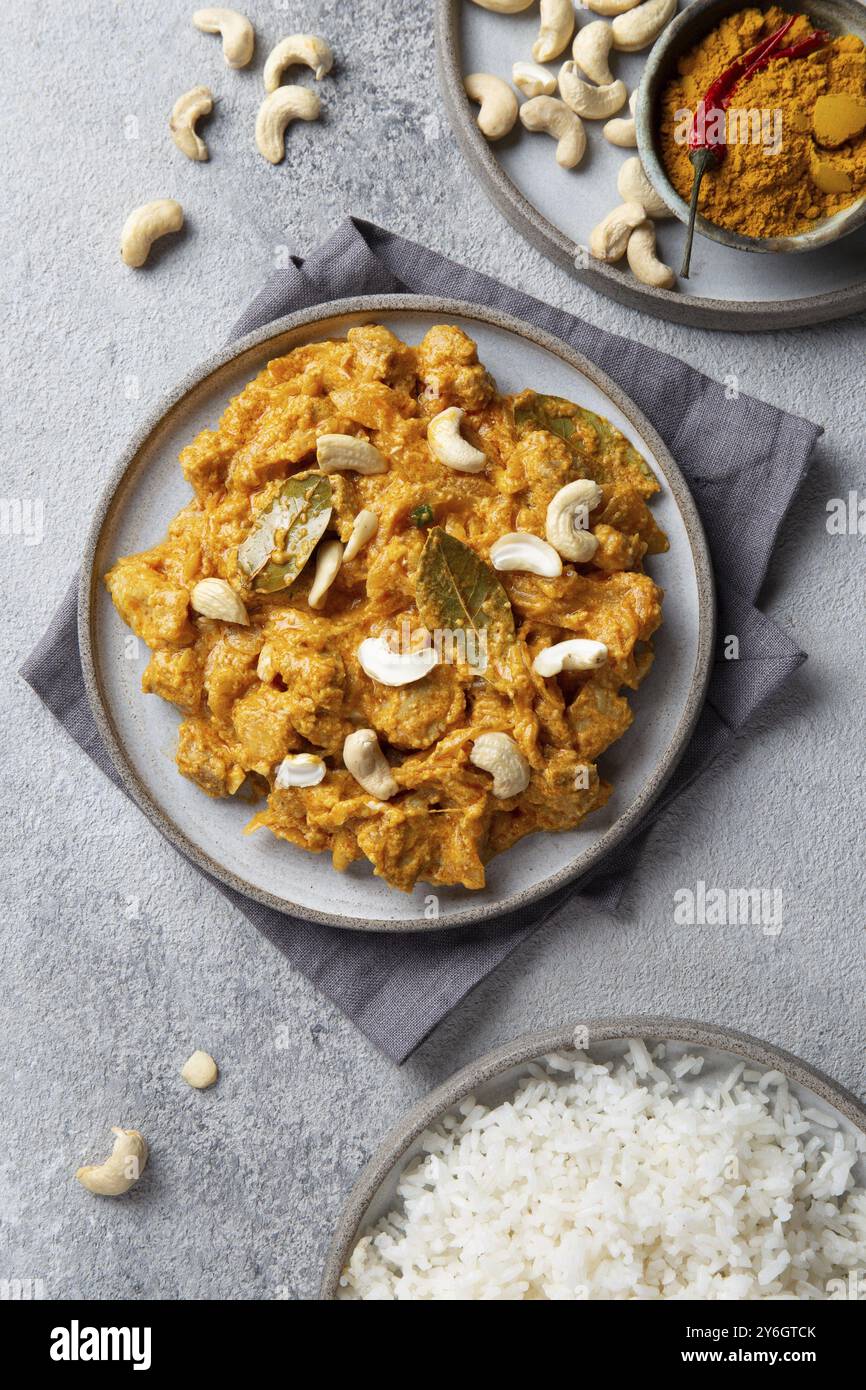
[(682, 35)]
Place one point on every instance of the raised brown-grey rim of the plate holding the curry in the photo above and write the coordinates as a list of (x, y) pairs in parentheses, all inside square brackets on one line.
[(390, 305)]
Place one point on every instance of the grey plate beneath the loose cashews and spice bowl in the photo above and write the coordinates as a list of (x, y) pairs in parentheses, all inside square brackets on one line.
[(557, 209)]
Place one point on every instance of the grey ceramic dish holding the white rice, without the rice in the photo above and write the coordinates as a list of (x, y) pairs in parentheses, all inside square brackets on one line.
[(496, 1077)]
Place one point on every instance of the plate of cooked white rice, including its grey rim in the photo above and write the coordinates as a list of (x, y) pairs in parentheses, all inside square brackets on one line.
[(660, 1159)]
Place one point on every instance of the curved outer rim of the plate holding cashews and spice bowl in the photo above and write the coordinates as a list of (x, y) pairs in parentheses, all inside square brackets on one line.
[(696, 312)]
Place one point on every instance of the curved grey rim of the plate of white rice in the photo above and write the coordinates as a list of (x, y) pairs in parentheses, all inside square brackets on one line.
[(530, 1047)]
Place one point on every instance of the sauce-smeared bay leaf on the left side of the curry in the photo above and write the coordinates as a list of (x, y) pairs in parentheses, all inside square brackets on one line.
[(300, 515)]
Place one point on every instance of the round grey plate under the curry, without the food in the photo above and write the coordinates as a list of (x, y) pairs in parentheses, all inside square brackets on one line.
[(140, 730)]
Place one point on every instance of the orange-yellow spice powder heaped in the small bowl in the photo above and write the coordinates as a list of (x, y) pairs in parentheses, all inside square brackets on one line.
[(776, 180)]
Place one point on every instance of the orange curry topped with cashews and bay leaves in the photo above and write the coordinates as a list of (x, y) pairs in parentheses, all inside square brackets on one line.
[(401, 608)]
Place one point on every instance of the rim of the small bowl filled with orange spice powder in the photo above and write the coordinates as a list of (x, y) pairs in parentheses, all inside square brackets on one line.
[(689, 26)]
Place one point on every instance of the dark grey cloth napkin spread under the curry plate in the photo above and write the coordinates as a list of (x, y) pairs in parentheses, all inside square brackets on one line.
[(744, 462)]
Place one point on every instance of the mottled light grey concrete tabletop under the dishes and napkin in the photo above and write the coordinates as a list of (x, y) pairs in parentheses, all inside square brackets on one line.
[(117, 960)]
